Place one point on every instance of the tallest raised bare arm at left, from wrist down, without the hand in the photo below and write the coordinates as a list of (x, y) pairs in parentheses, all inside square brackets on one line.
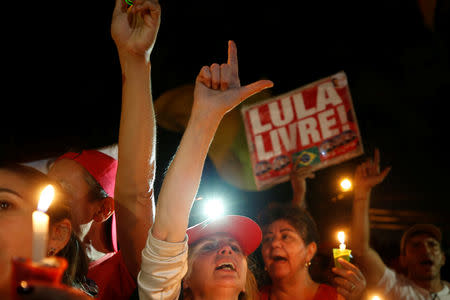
[(136, 167)]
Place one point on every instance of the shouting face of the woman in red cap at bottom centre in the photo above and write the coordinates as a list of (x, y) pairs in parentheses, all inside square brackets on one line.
[(217, 262)]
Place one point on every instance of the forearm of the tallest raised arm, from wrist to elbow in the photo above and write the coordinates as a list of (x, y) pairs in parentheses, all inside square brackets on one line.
[(137, 131)]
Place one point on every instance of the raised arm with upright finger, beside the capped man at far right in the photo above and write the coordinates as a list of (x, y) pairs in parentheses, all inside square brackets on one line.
[(367, 175)]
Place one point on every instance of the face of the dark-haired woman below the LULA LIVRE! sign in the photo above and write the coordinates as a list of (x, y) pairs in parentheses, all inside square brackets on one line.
[(284, 251)]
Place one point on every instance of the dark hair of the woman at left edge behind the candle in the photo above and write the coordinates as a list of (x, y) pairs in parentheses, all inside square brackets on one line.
[(58, 211)]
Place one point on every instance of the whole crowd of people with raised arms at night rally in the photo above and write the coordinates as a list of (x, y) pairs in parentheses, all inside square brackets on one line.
[(120, 245)]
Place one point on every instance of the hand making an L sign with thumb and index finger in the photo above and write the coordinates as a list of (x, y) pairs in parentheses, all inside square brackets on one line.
[(218, 89)]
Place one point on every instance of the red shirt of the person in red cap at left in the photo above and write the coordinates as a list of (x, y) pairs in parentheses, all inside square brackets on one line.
[(112, 277)]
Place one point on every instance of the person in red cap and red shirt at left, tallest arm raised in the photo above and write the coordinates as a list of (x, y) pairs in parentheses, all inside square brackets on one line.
[(90, 176)]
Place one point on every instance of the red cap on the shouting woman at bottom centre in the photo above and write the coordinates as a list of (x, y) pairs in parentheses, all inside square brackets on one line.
[(244, 230)]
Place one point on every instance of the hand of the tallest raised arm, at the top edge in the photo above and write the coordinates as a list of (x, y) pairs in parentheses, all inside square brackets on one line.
[(134, 29)]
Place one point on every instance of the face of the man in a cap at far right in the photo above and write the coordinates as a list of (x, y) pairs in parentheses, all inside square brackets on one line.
[(423, 257)]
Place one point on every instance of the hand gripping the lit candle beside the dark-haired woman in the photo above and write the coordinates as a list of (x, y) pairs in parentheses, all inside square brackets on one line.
[(350, 282)]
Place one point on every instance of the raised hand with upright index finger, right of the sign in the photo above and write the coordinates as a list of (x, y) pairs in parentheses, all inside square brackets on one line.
[(368, 174)]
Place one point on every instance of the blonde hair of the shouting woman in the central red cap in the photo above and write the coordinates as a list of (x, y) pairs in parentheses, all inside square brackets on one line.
[(251, 287)]
